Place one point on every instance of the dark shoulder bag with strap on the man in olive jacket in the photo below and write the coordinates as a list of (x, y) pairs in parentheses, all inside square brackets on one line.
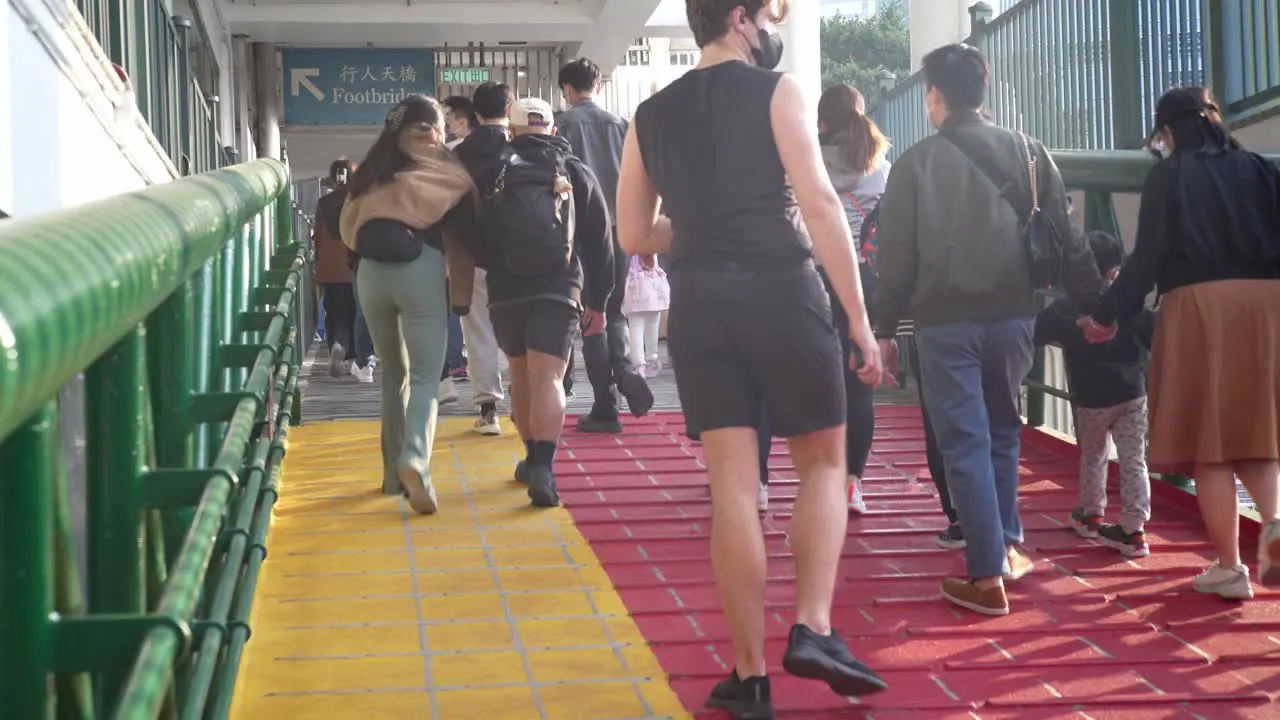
[(1043, 240)]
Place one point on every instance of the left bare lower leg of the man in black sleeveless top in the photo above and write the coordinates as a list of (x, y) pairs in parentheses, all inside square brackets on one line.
[(738, 543)]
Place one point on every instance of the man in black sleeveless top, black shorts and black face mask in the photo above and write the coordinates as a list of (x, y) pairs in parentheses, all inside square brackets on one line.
[(749, 309)]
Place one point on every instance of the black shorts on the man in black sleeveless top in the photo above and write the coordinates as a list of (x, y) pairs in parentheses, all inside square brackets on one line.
[(743, 339)]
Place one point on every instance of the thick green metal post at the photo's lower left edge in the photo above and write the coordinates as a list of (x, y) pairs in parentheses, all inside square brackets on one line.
[(29, 462)]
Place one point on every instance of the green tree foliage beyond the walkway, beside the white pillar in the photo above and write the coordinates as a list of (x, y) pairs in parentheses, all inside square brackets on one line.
[(860, 51)]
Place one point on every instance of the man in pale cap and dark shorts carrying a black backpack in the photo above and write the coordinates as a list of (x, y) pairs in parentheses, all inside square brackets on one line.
[(548, 252)]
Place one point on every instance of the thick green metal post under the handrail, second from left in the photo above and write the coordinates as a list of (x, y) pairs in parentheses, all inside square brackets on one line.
[(116, 389)]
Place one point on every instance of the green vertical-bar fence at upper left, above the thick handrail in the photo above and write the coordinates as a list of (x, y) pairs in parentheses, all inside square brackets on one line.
[(154, 49)]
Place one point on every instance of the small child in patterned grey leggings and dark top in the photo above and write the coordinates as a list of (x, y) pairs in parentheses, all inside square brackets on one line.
[(1109, 393)]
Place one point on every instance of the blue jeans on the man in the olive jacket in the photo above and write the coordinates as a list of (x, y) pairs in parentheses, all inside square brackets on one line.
[(972, 373)]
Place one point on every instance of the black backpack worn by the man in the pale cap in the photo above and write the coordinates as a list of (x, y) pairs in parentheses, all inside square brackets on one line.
[(528, 217)]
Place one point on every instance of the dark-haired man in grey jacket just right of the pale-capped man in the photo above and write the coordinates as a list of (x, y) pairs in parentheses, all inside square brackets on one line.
[(597, 135)]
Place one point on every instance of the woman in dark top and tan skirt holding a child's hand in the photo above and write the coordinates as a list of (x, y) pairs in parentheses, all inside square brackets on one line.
[(1209, 243)]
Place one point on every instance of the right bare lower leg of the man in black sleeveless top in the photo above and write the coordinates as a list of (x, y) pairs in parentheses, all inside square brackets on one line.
[(820, 523)]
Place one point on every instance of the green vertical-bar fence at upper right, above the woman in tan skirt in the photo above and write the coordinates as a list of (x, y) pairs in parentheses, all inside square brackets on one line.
[(1087, 74)]
